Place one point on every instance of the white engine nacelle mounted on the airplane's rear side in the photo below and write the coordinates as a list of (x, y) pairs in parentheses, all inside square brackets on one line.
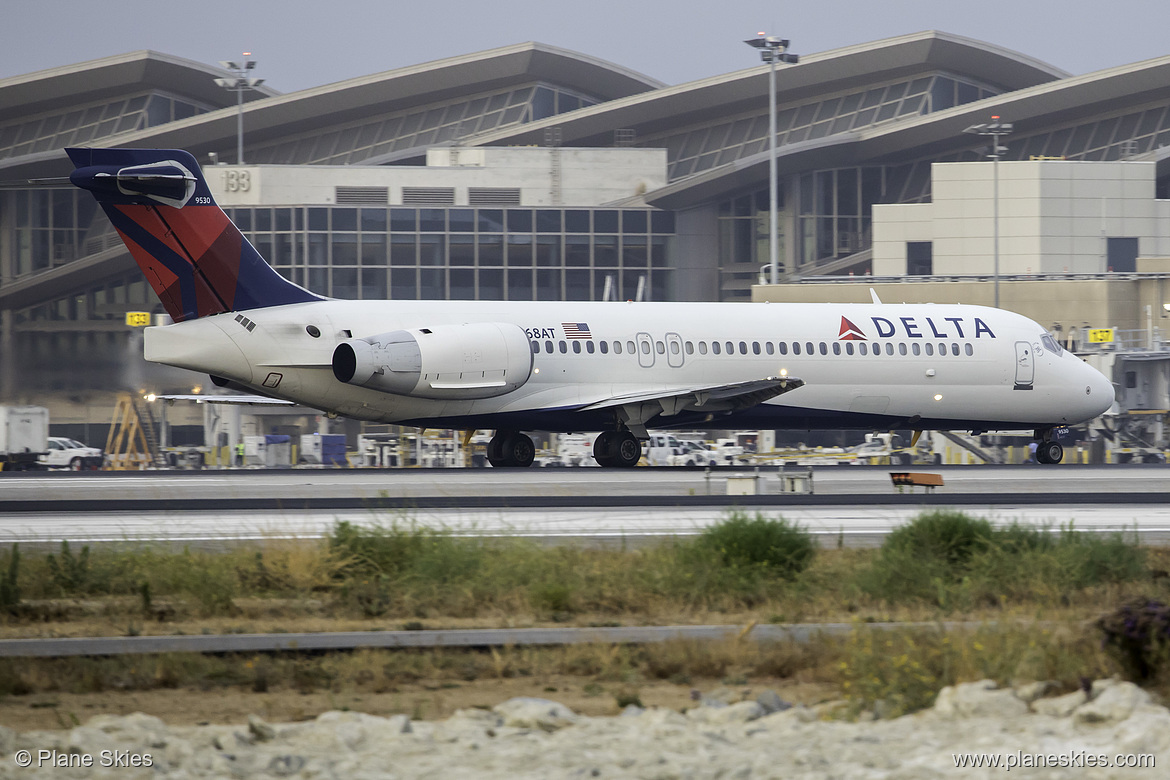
[(446, 362)]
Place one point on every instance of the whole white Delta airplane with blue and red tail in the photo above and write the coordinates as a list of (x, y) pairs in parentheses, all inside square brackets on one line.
[(620, 369)]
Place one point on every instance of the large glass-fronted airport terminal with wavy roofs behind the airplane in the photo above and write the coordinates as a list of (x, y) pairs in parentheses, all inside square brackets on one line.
[(531, 172)]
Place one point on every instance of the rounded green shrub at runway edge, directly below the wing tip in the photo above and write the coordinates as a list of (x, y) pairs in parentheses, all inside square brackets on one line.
[(773, 546)]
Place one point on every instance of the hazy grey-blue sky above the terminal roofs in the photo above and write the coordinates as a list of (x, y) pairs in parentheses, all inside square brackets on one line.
[(301, 44)]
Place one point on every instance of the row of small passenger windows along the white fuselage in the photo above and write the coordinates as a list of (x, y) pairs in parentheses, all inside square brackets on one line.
[(755, 348)]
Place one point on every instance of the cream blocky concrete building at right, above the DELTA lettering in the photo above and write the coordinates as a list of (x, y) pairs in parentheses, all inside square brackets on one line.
[(1055, 218)]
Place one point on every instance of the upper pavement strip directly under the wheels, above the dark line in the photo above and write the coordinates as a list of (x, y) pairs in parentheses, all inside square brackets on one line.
[(407, 484)]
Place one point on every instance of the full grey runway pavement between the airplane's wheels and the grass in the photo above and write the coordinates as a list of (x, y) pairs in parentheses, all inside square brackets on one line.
[(851, 506)]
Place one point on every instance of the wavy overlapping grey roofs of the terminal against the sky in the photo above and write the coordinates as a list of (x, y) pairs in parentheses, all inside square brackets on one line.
[(1034, 95)]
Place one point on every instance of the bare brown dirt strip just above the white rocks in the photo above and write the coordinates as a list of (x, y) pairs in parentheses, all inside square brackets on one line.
[(421, 701)]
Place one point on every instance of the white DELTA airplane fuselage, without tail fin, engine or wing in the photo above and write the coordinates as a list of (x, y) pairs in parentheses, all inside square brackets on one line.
[(864, 367)]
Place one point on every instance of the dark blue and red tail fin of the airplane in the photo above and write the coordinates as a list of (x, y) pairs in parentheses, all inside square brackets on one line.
[(194, 257)]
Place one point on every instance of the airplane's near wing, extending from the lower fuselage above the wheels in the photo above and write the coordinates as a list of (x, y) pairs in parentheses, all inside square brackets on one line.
[(639, 408)]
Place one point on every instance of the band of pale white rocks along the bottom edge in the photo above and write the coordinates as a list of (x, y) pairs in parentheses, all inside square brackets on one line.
[(657, 744)]
